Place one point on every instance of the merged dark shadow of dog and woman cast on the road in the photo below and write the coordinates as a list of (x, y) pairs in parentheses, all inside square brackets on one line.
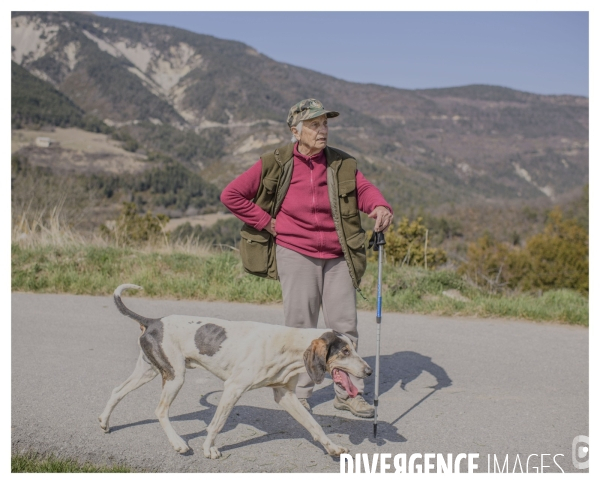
[(402, 367)]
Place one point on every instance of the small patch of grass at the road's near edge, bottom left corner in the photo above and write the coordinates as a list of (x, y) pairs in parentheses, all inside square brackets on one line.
[(32, 462)]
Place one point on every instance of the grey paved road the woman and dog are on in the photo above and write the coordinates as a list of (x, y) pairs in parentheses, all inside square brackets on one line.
[(448, 385)]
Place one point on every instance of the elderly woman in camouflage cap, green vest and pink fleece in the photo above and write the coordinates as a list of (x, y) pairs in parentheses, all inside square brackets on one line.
[(300, 206)]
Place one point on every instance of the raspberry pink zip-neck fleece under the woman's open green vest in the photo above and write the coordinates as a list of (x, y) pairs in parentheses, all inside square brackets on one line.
[(304, 223)]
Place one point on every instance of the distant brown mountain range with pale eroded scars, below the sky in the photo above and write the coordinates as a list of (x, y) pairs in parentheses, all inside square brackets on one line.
[(422, 147)]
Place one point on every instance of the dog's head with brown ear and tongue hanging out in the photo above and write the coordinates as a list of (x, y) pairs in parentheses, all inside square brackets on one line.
[(335, 353)]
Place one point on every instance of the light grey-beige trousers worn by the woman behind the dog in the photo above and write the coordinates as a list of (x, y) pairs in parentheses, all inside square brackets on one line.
[(308, 283)]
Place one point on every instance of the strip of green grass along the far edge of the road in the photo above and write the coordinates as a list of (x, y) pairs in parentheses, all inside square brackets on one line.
[(98, 270)]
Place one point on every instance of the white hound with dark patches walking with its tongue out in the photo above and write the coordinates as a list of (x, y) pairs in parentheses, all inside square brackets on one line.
[(246, 355)]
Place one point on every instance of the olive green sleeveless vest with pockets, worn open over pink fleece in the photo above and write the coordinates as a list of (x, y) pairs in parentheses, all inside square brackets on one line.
[(257, 247)]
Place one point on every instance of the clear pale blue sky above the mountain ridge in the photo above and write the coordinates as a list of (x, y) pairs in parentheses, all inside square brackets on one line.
[(541, 52)]
